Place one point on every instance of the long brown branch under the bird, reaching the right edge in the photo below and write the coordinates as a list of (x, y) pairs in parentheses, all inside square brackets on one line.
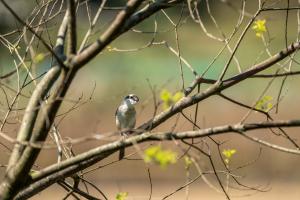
[(51, 174)]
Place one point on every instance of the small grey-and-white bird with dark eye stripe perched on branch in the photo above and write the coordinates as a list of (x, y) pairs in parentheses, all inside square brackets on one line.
[(126, 117)]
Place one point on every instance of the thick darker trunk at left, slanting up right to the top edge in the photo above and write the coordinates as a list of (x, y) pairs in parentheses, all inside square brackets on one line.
[(11, 184)]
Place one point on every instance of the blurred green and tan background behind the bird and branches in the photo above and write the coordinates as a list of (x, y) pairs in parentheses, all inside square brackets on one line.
[(126, 67)]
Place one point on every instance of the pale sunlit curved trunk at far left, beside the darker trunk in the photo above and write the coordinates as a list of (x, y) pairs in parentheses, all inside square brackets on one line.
[(20, 162)]
